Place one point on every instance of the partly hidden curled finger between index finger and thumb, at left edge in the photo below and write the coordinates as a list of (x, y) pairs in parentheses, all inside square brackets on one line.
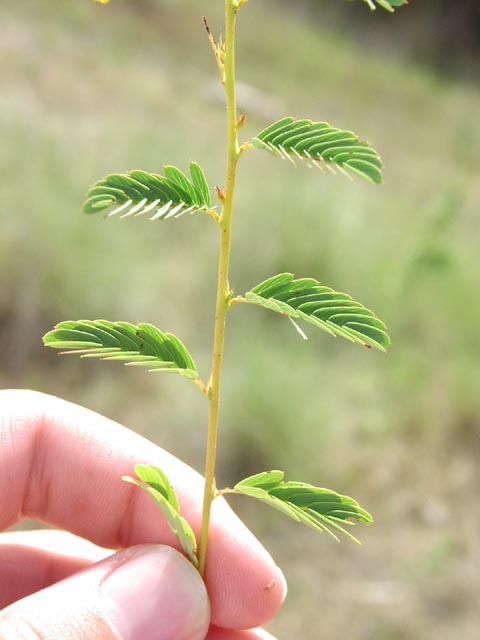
[(33, 560)]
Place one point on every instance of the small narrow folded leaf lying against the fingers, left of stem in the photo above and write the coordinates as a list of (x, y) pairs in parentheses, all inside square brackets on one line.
[(157, 485)]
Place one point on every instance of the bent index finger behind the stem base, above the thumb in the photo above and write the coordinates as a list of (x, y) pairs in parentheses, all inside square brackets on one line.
[(62, 464)]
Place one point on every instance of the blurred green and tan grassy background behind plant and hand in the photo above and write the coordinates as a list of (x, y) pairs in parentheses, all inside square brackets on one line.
[(88, 90)]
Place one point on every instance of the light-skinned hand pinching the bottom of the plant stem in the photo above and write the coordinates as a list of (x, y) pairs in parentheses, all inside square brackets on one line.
[(62, 464)]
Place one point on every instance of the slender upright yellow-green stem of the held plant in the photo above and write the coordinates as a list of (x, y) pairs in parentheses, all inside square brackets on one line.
[(223, 287)]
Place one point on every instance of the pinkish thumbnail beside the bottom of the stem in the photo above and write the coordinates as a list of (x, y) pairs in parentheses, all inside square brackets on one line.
[(155, 594)]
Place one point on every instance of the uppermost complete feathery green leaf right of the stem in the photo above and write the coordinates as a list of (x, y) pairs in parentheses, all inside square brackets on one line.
[(317, 144)]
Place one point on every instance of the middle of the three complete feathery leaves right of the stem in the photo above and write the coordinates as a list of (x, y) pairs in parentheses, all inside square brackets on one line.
[(336, 313)]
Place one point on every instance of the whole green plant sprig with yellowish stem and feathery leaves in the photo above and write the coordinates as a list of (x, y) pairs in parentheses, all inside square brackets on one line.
[(173, 194)]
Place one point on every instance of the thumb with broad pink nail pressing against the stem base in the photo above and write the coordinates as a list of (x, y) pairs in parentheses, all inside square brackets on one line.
[(147, 592)]
